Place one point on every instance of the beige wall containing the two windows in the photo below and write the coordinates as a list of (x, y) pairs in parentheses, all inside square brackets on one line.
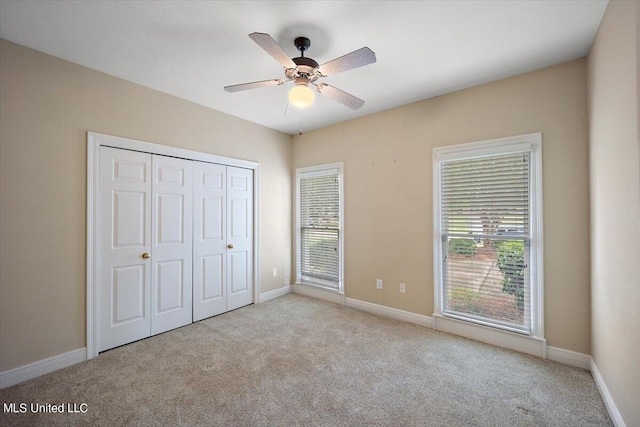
[(388, 188)]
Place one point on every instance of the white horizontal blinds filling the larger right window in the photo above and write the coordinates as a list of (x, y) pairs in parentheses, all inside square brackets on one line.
[(486, 239)]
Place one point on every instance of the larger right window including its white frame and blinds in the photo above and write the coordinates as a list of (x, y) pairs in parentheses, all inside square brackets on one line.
[(488, 233)]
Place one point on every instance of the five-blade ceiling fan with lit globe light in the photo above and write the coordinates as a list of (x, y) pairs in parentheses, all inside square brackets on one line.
[(304, 71)]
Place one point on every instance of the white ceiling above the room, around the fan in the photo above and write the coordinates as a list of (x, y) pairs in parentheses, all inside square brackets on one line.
[(192, 49)]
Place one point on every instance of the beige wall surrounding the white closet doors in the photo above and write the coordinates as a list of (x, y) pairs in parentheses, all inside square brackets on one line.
[(47, 105)]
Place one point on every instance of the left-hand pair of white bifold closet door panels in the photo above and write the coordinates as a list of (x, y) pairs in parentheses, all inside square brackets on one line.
[(146, 216)]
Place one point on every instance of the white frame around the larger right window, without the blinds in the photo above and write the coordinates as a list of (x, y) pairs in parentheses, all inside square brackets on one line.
[(521, 143)]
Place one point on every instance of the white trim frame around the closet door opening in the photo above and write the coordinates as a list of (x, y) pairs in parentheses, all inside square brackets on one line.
[(94, 142)]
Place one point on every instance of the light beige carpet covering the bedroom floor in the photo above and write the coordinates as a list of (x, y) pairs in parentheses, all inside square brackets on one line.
[(300, 361)]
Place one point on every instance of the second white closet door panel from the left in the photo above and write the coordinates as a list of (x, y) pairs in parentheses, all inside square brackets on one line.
[(172, 244)]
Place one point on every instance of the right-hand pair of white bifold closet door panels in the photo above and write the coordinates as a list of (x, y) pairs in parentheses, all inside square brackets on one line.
[(223, 239)]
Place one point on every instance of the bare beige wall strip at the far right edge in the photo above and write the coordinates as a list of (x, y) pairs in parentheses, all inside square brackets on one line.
[(615, 205)]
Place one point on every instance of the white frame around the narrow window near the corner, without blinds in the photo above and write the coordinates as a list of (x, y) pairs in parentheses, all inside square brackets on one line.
[(311, 171)]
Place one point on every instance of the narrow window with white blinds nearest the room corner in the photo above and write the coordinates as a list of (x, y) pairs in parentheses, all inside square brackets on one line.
[(319, 231)]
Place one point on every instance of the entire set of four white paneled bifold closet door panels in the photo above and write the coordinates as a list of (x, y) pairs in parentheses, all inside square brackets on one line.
[(175, 243)]
